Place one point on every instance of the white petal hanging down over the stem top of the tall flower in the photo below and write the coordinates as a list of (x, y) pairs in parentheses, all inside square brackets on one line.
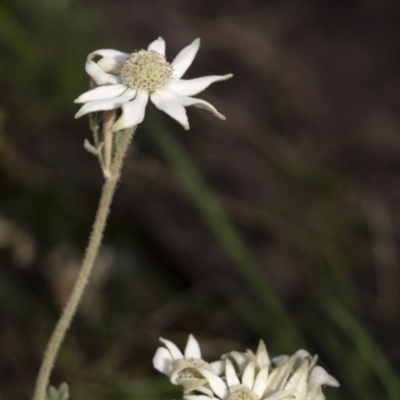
[(133, 114)]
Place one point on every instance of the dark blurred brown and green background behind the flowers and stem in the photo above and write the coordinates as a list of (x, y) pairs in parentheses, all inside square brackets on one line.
[(280, 223)]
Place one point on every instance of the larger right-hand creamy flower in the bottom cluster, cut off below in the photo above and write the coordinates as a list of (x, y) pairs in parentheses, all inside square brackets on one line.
[(295, 377)]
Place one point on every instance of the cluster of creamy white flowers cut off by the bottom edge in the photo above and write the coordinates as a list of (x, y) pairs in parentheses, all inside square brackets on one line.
[(243, 376)]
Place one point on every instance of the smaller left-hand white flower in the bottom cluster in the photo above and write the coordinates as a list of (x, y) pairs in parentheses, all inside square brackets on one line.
[(182, 369)]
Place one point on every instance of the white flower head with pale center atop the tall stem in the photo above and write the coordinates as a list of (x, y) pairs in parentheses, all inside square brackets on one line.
[(128, 80)]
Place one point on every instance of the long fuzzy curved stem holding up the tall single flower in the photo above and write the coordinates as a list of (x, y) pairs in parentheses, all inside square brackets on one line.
[(92, 250)]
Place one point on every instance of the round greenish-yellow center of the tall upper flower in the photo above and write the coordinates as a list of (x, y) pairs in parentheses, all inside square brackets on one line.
[(147, 70)]
